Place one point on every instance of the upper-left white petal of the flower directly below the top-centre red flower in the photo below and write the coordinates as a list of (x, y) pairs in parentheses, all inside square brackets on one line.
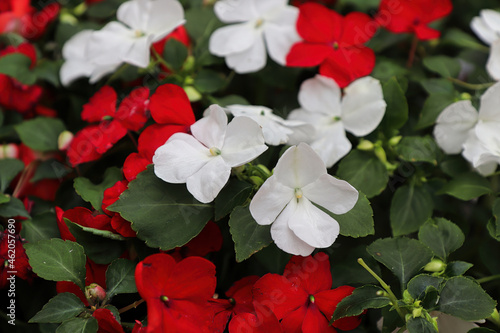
[(320, 94)]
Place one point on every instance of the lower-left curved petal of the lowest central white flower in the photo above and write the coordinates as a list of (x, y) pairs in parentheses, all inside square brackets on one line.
[(285, 238)]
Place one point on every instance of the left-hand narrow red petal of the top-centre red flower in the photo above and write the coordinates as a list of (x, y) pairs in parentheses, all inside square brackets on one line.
[(307, 55)]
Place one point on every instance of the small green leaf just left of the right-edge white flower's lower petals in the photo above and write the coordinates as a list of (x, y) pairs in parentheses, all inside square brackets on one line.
[(418, 149)]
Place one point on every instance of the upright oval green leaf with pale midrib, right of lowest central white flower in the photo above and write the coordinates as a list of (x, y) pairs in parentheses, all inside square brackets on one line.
[(411, 206)]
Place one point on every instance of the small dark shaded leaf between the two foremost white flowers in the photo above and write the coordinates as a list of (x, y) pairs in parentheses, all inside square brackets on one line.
[(234, 194)]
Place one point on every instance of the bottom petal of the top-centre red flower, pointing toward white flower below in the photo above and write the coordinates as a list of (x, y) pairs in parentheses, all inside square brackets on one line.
[(348, 64)]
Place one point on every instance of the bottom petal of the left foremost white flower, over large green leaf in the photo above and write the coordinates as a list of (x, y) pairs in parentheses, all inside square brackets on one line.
[(206, 184)]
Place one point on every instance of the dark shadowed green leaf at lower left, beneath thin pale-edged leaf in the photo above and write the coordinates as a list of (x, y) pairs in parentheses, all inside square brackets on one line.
[(101, 250)]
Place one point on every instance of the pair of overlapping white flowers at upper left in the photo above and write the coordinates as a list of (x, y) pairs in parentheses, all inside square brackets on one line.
[(140, 23)]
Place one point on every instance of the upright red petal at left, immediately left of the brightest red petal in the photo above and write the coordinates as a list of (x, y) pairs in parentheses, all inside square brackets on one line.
[(132, 112)]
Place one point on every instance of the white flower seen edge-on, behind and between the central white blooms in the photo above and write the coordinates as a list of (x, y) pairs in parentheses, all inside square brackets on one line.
[(277, 131)]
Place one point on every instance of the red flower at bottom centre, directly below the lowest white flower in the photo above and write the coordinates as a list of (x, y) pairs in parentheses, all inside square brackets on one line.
[(302, 298)]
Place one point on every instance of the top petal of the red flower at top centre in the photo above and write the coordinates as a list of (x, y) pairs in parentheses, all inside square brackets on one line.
[(318, 24)]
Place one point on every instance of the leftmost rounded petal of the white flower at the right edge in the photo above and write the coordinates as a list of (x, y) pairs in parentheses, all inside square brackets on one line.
[(453, 125)]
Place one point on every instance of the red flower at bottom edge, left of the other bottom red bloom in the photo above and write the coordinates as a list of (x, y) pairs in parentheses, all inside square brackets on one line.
[(176, 294)]
